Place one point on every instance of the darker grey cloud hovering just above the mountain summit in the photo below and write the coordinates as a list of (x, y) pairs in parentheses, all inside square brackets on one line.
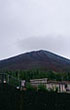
[(57, 44)]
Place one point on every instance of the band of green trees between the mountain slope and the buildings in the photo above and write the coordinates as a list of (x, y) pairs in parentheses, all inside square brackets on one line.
[(36, 74)]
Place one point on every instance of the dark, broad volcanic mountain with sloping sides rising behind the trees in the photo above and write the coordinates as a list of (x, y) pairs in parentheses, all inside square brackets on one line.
[(37, 59)]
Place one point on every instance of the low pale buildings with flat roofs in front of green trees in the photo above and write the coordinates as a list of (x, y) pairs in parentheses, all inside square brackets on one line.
[(61, 86)]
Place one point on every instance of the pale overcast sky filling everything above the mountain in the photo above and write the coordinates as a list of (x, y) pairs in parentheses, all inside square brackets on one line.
[(27, 25)]
